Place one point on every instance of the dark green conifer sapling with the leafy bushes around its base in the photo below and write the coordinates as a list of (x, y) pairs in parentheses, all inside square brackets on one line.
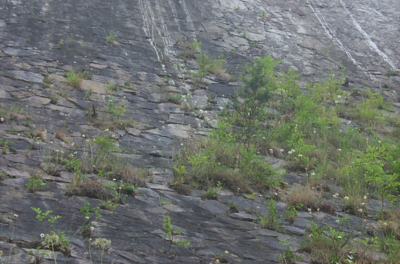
[(229, 155)]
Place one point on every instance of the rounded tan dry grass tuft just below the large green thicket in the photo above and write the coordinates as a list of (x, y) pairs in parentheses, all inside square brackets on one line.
[(306, 196)]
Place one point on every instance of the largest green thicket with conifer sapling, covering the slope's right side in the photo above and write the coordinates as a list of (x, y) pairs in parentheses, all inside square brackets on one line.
[(270, 115)]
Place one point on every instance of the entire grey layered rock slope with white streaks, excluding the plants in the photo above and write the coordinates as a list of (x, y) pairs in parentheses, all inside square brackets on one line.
[(41, 39)]
